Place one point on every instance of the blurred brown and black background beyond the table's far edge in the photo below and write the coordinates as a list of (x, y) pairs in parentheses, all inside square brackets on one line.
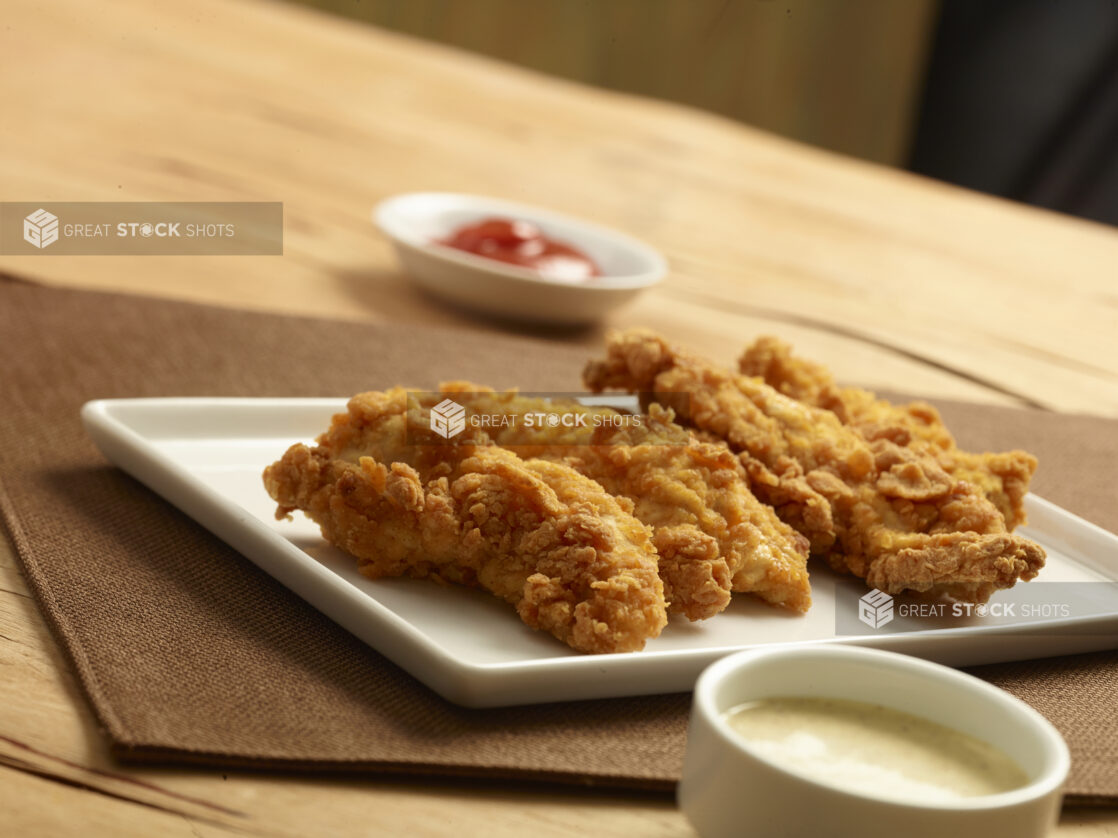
[(1013, 98)]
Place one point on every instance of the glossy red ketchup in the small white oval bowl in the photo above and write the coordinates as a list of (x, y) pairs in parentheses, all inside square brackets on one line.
[(523, 244)]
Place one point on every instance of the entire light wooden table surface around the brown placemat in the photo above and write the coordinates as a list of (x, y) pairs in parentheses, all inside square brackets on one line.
[(894, 281)]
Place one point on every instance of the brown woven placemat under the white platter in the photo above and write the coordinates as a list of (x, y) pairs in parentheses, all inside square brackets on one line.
[(191, 654)]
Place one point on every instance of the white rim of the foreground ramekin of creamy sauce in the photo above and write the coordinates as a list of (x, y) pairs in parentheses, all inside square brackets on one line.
[(1051, 741)]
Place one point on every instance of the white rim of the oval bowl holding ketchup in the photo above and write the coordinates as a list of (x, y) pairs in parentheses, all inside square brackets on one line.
[(656, 273)]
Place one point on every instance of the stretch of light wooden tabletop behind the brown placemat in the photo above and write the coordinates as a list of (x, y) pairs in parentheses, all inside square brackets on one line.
[(952, 293)]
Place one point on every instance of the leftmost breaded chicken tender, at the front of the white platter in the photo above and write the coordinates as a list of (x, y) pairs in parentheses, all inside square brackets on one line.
[(570, 557)]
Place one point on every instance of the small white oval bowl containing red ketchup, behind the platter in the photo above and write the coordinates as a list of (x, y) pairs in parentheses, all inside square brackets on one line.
[(415, 221)]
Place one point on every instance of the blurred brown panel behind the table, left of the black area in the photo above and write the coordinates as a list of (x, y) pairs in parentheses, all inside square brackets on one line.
[(842, 77)]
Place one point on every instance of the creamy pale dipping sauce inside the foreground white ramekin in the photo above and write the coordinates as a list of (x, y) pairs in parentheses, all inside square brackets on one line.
[(874, 750)]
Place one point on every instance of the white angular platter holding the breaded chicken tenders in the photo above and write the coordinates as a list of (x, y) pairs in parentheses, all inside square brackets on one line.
[(206, 458)]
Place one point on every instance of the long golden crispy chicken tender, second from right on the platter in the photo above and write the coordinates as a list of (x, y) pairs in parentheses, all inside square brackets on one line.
[(873, 508)]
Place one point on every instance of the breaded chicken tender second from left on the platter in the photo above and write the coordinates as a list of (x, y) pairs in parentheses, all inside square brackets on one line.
[(713, 536)]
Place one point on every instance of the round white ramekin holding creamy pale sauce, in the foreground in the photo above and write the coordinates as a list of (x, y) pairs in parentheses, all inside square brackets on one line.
[(729, 791)]
